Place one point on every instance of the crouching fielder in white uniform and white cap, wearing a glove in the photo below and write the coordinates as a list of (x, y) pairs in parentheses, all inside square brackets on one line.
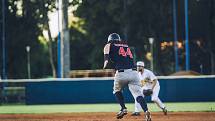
[(150, 86)]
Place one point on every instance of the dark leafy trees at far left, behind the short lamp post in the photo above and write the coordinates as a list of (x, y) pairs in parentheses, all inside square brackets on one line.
[(23, 20)]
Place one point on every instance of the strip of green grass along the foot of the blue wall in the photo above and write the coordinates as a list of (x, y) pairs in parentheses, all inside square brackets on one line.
[(175, 107)]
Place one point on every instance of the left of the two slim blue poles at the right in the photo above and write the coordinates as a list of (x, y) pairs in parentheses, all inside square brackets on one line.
[(175, 35)]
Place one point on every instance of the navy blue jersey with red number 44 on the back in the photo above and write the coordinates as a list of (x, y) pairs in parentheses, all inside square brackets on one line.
[(121, 56)]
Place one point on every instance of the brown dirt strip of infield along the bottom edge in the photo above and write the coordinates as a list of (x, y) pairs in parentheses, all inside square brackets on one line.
[(176, 116)]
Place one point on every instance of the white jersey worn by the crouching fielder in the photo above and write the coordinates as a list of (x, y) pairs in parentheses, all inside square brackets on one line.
[(147, 79)]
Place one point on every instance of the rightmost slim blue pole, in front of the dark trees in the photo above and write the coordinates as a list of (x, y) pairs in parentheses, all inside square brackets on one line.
[(187, 35)]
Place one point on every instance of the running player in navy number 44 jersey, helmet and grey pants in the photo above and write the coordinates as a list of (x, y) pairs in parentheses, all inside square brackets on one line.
[(120, 54)]
